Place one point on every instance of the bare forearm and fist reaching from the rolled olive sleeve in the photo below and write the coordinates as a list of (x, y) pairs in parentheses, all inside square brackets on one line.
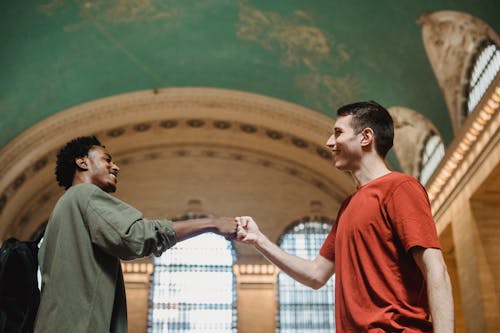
[(223, 226)]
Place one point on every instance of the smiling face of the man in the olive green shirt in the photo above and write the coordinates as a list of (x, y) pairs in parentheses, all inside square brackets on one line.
[(102, 170)]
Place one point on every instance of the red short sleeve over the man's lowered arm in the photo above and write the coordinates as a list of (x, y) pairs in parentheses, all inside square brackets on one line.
[(410, 214)]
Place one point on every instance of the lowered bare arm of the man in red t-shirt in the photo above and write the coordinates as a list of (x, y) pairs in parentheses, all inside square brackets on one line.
[(431, 263)]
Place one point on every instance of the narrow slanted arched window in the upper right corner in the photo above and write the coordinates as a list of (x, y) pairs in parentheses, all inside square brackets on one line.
[(485, 68)]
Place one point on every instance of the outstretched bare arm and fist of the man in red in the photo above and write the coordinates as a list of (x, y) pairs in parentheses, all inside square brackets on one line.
[(313, 273)]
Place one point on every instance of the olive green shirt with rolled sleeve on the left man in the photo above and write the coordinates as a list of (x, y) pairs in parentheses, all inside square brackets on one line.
[(88, 233)]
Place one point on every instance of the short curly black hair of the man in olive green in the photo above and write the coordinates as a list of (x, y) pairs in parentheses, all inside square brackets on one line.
[(66, 165)]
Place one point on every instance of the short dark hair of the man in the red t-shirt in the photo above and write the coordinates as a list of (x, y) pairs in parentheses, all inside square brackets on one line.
[(375, 116)]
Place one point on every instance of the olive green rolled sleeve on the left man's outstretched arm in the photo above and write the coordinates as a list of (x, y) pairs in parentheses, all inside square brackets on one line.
[(120, 230)]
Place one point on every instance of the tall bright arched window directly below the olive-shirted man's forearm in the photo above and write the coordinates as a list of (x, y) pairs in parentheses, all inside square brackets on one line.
[(193, 288)]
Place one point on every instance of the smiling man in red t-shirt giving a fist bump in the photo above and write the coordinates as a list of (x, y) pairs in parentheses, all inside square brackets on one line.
[(383, 247)]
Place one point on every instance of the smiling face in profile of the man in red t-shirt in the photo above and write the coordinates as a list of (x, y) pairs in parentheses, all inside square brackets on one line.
[(345, 145)]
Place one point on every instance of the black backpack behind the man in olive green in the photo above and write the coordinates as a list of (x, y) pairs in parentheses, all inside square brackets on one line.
[(19, 293)]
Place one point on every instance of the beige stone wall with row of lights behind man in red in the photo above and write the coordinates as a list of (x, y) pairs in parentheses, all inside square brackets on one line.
[(465, 195)]
